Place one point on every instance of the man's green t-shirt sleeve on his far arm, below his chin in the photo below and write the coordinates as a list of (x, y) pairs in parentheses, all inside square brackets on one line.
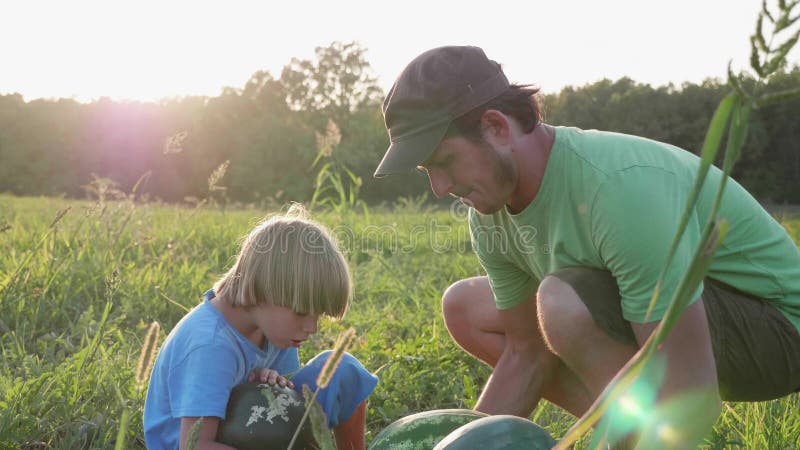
[(510, 284)]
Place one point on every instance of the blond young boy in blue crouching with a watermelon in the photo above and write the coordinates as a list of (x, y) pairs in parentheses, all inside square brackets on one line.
[(288, 273)]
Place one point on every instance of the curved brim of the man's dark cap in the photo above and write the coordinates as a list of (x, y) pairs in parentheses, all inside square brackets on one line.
[(406, 154)]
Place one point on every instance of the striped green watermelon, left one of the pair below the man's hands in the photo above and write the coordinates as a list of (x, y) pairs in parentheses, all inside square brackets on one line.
[(422, 430)]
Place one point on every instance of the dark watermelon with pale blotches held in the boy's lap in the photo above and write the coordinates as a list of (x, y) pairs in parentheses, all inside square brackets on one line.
[(264, 416)]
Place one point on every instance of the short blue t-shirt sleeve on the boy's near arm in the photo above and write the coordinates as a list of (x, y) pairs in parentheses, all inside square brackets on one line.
[(201, 383)]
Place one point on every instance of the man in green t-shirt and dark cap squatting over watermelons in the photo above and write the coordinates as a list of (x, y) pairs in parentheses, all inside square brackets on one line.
[(573, 229)]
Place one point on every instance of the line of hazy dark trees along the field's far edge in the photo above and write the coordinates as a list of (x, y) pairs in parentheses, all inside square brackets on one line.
[(258, 143)]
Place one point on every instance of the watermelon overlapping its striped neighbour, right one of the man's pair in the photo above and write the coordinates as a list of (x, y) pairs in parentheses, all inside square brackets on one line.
[(500, 432)]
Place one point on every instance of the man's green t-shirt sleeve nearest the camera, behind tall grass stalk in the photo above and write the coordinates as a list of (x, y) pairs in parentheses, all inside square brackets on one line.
[(634, 218)]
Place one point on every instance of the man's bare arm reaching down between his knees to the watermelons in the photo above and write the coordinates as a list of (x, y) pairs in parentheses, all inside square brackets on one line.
[(523, 369)]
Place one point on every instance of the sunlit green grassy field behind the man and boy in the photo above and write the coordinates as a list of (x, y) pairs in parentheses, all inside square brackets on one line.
[(78, 292)]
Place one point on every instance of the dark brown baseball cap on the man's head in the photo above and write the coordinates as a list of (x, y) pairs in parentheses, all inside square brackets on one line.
[(435, 88)]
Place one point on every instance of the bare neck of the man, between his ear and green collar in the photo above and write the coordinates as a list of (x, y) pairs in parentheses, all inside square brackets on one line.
[(532, 154)]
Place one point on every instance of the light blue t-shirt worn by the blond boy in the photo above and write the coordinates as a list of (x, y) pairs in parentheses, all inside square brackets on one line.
[(200, 362)]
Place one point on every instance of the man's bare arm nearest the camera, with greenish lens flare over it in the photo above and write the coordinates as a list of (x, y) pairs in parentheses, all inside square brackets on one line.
[(688, 400)]
